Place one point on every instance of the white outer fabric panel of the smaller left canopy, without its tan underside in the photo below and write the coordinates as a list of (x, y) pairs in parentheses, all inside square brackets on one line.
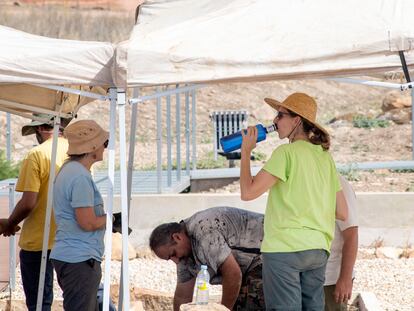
[(27, 58)]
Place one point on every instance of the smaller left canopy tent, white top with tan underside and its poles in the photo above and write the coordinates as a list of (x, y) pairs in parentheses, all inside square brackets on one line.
[(39, 74)]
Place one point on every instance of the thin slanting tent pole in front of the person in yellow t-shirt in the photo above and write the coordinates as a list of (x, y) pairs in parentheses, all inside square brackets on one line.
[(46, 232)]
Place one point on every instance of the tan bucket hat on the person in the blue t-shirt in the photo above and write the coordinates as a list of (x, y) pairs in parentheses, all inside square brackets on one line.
[(85, 136)]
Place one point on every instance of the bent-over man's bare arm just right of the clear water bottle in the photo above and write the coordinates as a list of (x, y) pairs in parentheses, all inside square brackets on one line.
[(231, 281)]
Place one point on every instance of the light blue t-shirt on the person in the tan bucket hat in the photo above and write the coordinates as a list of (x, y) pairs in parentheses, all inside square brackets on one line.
[(74, 188)]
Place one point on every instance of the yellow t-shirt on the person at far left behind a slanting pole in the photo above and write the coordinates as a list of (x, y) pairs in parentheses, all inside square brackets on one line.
[(34, 177)]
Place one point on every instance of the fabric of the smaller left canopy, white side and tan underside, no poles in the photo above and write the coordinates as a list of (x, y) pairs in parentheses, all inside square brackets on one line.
[(26, 60)]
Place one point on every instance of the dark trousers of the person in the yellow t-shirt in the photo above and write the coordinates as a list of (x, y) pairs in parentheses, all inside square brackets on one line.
[(30, 270)]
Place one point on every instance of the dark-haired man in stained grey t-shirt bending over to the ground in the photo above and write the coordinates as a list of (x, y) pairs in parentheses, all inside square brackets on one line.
[(225, 239)]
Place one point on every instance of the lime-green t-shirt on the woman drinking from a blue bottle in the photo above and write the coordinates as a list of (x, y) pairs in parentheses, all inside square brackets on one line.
[(300, 212)]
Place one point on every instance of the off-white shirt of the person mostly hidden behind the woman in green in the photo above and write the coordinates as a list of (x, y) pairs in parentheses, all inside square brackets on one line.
[(333, 267)]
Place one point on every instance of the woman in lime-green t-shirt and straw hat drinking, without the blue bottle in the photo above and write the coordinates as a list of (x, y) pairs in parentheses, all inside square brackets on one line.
[(300, 215)]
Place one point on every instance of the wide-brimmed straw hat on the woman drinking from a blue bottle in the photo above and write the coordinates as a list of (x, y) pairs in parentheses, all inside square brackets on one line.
[(301, 104)]
